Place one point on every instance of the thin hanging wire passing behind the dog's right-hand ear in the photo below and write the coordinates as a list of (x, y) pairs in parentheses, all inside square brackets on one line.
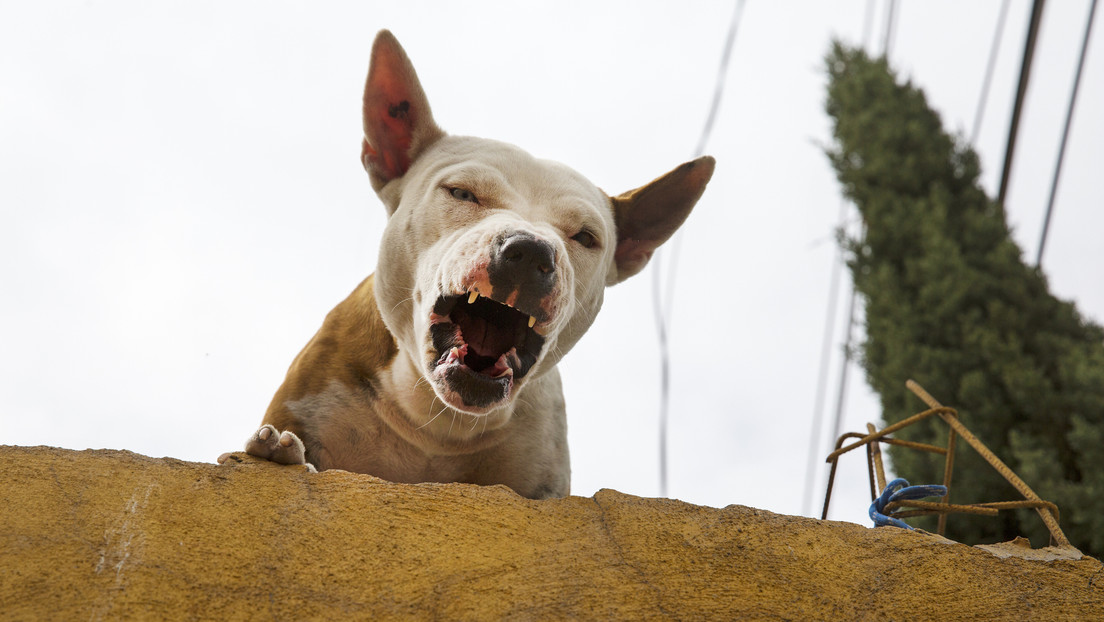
[(662, 308)]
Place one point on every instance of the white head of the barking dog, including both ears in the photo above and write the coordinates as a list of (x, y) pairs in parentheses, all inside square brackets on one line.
[(494, 262)]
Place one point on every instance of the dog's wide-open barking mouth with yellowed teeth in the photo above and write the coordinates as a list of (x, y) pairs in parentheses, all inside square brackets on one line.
[(483, 347)]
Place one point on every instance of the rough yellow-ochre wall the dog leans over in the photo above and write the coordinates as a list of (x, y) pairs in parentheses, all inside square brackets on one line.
[(114, 535)]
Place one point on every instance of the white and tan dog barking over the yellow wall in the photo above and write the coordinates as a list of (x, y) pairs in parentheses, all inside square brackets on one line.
[(442, 366)]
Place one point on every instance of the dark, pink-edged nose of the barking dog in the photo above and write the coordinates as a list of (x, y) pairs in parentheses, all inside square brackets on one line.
[(523, 263)]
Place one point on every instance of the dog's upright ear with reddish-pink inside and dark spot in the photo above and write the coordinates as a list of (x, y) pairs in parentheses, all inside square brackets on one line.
[(398, 122)]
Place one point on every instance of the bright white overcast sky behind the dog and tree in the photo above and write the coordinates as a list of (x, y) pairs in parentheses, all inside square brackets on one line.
[(183, 203)]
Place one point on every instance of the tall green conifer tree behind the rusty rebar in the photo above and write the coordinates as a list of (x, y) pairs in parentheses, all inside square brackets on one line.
[(951, 304)]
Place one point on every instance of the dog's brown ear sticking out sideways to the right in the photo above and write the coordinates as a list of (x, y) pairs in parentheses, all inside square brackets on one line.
[(649, 216)]
